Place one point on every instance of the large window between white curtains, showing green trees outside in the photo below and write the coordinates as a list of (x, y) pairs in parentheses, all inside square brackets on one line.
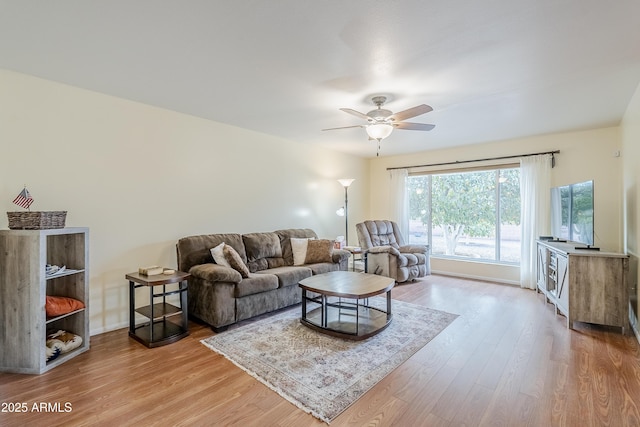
[(469, 215)]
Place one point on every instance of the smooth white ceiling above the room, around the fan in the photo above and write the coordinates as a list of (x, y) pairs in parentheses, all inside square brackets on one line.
[(491, 70)]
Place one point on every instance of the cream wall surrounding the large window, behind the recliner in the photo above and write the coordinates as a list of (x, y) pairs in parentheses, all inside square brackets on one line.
[(583, 156)]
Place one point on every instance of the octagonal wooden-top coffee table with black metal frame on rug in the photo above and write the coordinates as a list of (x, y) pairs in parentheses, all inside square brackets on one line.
[(342, 304)]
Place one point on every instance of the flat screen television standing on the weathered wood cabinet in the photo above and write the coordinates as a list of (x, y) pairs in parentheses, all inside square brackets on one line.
[(572, 213)]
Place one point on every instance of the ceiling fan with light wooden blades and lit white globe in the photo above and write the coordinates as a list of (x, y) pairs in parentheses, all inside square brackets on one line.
[(381, 122)]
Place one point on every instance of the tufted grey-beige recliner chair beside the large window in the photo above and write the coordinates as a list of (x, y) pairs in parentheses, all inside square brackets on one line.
[(387, 254)]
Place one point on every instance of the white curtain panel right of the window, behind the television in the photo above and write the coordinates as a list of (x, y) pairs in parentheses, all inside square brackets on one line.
[(535, 187)]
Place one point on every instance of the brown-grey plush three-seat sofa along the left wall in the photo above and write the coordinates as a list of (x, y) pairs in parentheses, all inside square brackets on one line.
[(220, 295)]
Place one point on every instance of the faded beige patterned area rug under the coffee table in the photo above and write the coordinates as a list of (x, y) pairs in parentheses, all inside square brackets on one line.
[(320, 374)]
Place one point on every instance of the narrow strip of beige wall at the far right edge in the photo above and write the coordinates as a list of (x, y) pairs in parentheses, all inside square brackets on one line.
[(630, 130)]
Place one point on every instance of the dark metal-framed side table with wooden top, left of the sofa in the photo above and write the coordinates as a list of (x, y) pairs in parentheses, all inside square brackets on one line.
[(159, 329)]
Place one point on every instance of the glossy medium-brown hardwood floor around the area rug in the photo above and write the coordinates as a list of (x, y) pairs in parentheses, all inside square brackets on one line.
[(508, 360)]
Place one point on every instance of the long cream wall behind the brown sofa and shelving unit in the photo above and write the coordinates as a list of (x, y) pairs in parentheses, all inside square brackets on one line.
[(141, 177)]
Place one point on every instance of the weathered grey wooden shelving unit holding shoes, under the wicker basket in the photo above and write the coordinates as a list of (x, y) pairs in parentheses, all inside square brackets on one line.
[(24, 286)]
